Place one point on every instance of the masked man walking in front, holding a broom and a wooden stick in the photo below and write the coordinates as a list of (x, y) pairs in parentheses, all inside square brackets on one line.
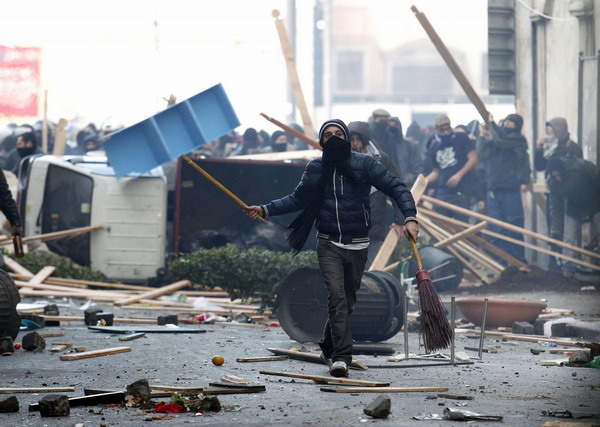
[(333, 194)]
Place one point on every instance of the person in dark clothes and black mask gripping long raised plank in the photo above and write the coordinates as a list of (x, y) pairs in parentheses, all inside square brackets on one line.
[(503, 153)]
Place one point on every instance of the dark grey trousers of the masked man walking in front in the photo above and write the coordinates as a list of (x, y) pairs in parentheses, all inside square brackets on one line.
[(342, 271)]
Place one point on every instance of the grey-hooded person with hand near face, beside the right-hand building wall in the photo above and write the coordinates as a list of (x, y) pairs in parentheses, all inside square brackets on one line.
[(556, 144)]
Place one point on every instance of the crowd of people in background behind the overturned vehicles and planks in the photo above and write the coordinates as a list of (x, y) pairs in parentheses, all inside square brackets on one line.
[(477, 166)]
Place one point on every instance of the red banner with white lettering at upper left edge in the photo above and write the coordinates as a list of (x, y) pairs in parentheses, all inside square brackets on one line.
[(19, 81)]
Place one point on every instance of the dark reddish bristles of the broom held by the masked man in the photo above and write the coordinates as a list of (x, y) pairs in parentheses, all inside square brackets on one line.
[(436, 330)]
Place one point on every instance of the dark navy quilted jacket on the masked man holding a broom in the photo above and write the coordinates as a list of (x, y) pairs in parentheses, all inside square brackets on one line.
[(345, 213)]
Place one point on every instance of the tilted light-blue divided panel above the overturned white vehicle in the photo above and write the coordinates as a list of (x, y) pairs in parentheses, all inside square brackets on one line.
[(175, 131)]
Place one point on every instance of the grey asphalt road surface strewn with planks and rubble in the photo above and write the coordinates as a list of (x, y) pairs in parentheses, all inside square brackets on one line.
[(509, 384)]
